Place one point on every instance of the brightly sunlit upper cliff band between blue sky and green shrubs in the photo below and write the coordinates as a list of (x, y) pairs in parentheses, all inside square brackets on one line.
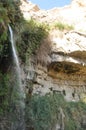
[(74, 14)]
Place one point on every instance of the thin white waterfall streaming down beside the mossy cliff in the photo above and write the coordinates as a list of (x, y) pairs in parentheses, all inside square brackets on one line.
[(18, 94)]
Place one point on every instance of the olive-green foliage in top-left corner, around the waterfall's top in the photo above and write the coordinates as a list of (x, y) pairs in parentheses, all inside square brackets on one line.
[(9, 14)]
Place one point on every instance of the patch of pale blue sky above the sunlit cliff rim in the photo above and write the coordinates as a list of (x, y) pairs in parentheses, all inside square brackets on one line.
[(48, 4)]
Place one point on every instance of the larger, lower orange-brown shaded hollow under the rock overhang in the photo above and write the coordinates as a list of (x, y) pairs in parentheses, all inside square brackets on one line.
[(66, 68)]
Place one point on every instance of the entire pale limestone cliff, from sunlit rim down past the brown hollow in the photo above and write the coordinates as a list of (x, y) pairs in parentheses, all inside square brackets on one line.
[(65, 68)]
